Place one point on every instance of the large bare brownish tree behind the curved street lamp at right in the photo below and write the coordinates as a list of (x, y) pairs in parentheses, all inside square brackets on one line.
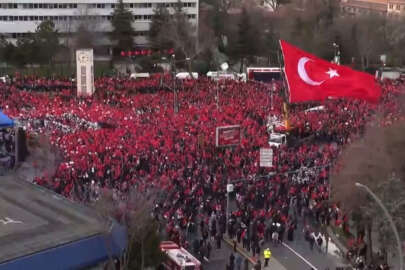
[(372, 161)]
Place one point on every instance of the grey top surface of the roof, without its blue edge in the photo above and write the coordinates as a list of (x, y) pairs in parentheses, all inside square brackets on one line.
[(33, 219)]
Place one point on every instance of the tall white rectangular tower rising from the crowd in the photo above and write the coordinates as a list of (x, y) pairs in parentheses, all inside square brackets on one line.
[(85, 72)]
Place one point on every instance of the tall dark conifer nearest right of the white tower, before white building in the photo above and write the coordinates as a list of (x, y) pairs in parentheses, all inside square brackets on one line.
[(123, 32)]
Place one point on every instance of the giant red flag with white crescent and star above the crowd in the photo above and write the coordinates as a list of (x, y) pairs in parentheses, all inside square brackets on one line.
[(310, 78)]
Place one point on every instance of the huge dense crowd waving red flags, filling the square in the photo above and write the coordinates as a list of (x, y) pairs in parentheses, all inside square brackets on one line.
[(129, 135)]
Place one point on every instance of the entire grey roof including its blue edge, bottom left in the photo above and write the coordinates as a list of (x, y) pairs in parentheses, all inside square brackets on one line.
[(39, 229)]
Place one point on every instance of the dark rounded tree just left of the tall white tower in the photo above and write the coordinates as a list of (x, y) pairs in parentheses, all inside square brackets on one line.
[(47, 41)]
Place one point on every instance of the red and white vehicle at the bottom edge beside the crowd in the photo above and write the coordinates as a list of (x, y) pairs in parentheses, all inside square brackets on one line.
[(178, 258)]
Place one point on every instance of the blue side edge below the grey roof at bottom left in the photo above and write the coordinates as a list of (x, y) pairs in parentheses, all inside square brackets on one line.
[(76, 255)]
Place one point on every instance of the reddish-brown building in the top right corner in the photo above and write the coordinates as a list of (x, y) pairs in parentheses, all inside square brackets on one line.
[(383, 7)]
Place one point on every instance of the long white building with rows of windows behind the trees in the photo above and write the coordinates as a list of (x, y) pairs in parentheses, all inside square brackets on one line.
[(20, 17)]
